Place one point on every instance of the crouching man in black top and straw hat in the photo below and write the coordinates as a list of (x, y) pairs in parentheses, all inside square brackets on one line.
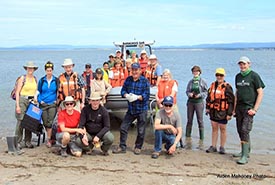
[(95, 121)]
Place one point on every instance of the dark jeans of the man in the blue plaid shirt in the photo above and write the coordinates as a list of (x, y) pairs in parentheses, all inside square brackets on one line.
[(141, 125)]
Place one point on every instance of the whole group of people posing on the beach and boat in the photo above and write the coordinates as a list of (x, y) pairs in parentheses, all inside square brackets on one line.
[(84, 123)]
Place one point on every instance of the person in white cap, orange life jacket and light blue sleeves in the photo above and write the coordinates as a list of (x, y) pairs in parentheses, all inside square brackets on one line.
[(154, 71)]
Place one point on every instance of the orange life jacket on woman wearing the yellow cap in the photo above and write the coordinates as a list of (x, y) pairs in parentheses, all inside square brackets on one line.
[(217, 96)]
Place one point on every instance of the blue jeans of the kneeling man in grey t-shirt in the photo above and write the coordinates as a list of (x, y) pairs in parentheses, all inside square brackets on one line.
[(162, 137)]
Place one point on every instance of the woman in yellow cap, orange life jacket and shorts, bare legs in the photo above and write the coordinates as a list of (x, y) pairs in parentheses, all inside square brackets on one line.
[(219, 106)]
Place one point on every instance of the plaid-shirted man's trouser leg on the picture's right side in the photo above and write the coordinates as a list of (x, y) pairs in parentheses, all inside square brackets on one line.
[(141, 126)]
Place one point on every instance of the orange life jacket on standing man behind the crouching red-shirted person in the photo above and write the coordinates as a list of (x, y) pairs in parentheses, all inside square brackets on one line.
[(69, 88)]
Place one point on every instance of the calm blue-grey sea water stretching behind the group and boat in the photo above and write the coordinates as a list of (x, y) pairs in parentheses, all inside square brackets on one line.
[(179, 61)]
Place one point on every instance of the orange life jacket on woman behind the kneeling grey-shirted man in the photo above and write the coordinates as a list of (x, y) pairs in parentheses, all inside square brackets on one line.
[(165, 89)]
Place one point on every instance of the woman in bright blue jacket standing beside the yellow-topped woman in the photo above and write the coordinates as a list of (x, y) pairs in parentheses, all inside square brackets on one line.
[(47, 98)]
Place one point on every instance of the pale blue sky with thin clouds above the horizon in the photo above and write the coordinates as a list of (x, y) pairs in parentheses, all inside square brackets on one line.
[(91, 22)]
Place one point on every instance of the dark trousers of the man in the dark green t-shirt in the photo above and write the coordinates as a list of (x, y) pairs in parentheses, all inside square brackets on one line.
[(244, 124)]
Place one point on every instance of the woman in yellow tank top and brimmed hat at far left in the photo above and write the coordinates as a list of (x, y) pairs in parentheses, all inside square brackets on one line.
[(25, 92)]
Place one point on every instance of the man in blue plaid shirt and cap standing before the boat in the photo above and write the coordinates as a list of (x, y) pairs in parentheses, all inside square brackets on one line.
[(136, 89)]
